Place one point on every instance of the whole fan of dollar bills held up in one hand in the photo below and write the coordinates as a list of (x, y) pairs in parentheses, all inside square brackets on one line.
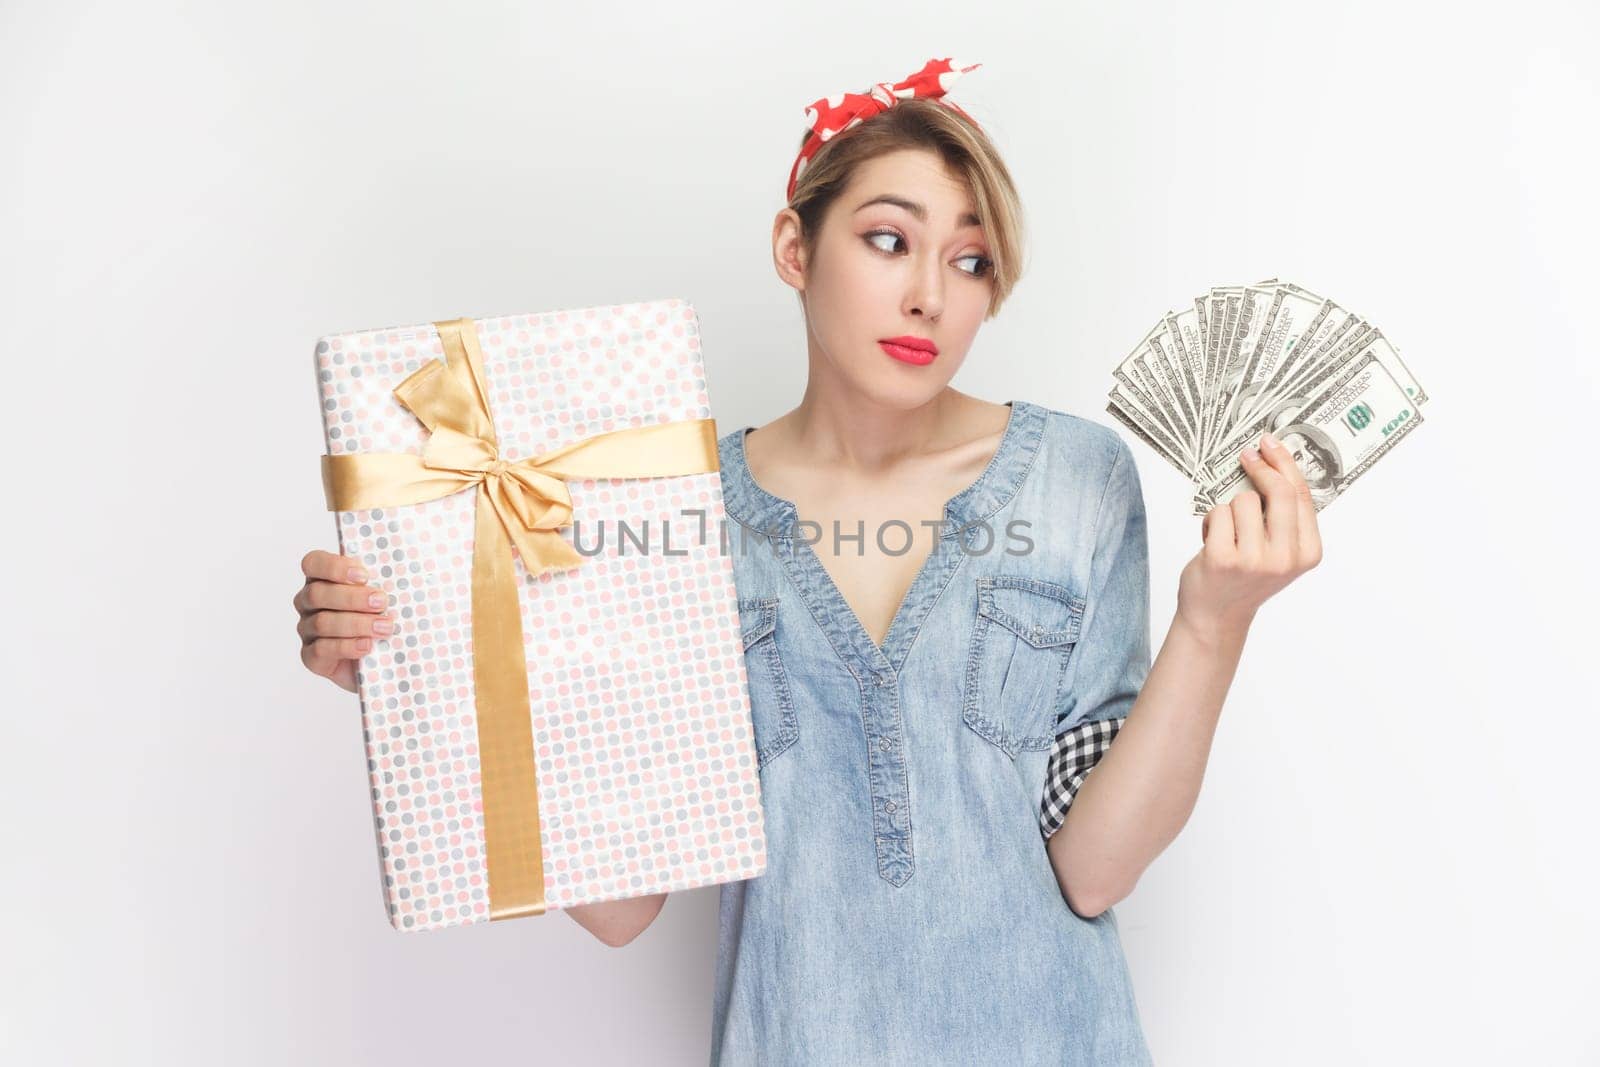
[(1209, 380)]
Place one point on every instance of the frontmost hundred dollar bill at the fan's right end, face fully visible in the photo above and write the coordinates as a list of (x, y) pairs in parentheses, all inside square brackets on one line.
[(1340, 434)]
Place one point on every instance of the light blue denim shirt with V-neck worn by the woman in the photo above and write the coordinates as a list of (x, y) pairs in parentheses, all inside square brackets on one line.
[(910, 913)]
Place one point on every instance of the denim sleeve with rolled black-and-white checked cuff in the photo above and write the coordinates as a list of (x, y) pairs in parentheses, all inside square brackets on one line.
[(1111, 660)]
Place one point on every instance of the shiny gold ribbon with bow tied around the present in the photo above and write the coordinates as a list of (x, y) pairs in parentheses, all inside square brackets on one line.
[(522, 503)]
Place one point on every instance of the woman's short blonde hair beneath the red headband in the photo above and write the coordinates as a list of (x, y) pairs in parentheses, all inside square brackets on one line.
[(922, 124)]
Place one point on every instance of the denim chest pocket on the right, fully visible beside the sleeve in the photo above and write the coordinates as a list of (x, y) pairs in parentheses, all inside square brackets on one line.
[(1023, 636)]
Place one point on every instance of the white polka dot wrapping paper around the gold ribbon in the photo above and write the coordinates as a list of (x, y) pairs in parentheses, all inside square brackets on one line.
[(644, 749)]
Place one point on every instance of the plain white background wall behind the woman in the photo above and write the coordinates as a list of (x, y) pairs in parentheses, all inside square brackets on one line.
[(1393, 860)]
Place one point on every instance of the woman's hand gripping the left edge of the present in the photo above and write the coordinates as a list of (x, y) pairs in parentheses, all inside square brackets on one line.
[(340, 617)]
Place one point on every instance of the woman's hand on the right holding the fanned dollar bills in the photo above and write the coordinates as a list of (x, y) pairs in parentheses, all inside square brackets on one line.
[(1255, 545)]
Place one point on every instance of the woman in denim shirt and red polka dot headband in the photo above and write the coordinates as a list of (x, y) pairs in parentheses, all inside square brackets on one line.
[(946, 625)]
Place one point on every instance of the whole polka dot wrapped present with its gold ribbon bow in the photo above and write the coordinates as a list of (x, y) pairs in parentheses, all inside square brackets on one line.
[(562, 714)]
